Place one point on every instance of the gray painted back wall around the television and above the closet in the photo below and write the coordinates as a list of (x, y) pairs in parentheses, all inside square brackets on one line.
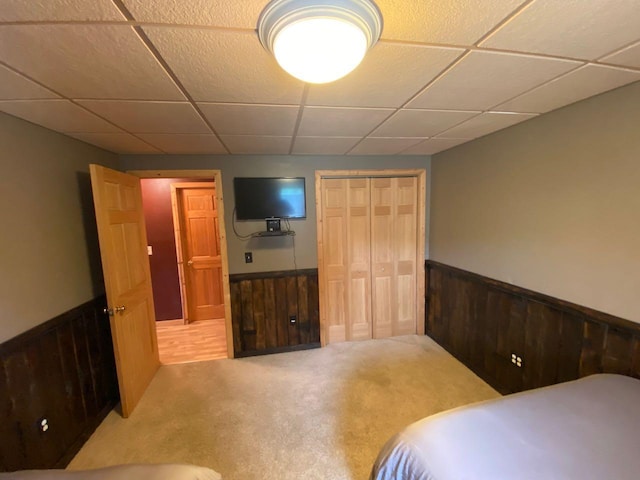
[(273, 254)]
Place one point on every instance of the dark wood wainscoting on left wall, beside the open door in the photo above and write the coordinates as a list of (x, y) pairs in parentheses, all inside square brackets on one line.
[(62, 371)]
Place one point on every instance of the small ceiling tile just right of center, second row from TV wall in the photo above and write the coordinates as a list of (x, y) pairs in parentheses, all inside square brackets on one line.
[(340, 122)]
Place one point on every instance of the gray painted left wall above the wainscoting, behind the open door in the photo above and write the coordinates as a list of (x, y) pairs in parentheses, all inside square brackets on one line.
[(48, 248)]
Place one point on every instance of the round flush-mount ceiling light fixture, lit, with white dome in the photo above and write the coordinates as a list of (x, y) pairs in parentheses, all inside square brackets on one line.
[(319, 41)]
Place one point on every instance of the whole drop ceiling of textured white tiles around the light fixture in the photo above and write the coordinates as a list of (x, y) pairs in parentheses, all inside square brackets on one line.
[(432, 82)]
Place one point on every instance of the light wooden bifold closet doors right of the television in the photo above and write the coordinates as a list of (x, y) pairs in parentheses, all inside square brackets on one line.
[(369, 257)]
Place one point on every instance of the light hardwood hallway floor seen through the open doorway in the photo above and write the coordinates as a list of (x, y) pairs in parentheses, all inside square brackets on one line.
[(195, 342)]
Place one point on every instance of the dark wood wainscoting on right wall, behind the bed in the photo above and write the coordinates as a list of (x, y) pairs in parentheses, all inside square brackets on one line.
[(484, 323)]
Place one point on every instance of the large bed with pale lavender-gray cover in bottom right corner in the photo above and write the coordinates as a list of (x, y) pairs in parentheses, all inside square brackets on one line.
[(584, 429)]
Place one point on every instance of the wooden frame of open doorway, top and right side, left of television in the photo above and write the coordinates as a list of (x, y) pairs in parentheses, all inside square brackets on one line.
[(216, 175)]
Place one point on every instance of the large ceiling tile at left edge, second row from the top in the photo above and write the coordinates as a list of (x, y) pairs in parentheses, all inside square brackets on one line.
[(87, 61)]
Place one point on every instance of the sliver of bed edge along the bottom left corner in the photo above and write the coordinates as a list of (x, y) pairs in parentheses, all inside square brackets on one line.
[(120, 472)]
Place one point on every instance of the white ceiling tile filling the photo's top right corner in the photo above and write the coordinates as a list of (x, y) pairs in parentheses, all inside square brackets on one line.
[(570, 28)]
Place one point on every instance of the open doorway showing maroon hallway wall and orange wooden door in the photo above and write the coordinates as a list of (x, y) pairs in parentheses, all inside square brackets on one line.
[(187, 256)]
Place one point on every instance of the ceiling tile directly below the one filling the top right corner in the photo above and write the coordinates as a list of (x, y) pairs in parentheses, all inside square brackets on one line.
[(484, 79)]
